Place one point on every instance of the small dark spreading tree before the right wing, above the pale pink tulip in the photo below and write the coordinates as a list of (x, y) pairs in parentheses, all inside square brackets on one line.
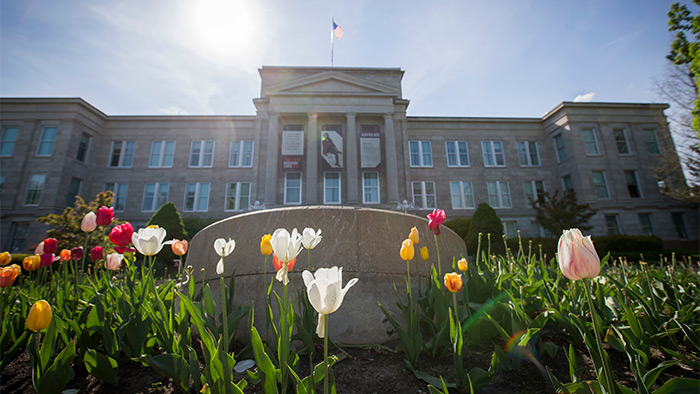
[(556, 214)]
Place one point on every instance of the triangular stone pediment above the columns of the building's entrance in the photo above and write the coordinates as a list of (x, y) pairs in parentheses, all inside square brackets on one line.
[(332, 83)]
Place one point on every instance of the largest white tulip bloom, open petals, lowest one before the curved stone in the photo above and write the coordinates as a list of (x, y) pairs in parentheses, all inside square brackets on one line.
[(326, 293)]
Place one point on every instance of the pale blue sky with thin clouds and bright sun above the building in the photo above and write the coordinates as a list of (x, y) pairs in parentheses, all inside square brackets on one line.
[(463, 58)]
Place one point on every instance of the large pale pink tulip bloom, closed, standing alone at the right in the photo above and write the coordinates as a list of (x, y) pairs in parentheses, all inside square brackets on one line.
[(577, 256)]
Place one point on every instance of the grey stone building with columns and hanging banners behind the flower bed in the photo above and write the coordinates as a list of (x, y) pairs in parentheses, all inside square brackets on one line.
[(339, 136)]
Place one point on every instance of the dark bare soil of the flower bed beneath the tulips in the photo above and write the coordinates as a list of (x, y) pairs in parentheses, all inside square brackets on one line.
[(370, 369)]
